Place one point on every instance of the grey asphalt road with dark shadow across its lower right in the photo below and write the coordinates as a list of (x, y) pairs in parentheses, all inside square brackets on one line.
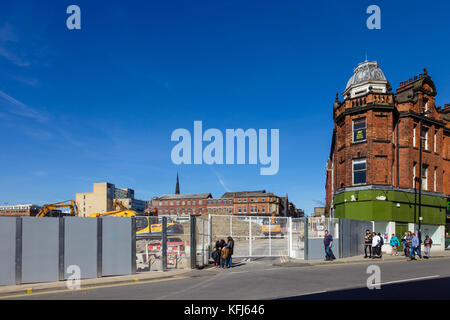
[(429, 279)]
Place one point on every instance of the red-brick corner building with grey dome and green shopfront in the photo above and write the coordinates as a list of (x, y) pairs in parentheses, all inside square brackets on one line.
[(373, 169)]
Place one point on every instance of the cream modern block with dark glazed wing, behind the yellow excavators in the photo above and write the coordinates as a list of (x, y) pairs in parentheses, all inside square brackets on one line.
[(102, 197)]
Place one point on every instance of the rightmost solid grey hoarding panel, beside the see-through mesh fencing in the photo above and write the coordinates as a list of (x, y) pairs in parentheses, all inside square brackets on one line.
[(116, 244)]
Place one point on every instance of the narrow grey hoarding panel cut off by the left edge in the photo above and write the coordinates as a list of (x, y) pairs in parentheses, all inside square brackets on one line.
[(7, 250)]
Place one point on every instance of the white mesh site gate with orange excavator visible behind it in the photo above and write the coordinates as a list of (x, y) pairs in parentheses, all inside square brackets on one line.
[(257, 236)]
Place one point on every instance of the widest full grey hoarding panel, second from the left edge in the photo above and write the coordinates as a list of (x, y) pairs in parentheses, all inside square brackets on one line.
[(40, 249)]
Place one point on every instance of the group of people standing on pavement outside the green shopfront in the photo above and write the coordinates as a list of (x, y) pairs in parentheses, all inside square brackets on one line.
[(410, 241)]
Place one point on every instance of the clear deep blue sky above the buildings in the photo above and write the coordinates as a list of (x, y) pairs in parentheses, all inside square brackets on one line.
[(99, 104)]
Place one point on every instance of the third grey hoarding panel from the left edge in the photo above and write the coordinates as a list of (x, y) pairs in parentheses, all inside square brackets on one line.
[(80, 246)]
